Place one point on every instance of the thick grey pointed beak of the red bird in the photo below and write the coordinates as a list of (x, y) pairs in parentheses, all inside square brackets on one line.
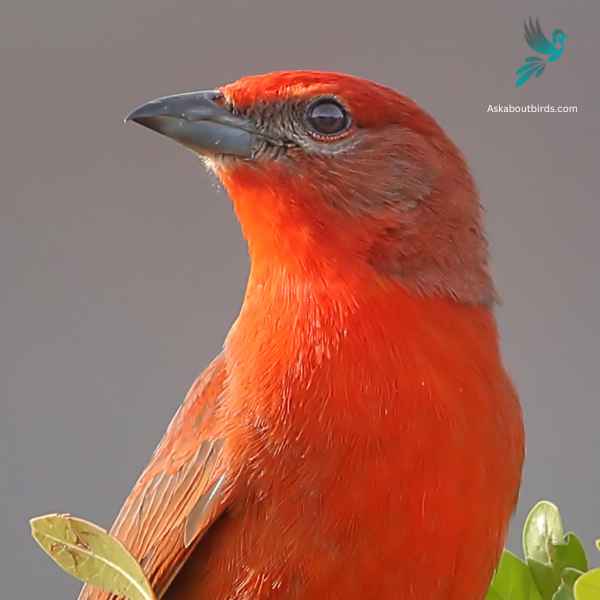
[(196, 121)]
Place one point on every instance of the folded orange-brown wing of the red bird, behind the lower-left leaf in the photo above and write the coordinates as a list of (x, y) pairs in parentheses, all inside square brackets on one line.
[(181, 493)]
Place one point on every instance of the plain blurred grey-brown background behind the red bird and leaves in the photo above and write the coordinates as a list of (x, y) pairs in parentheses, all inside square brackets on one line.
[(122, 266)]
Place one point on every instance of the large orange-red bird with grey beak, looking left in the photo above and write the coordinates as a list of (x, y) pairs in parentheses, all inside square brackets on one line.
[(358, 437)]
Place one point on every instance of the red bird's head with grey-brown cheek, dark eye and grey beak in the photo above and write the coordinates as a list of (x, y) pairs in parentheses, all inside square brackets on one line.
[(335, 177)]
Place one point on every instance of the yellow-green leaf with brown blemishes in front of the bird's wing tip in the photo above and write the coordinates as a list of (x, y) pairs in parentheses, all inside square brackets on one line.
[(89, 553)]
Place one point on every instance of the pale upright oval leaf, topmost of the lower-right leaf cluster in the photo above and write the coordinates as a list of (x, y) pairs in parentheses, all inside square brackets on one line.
[(542, 527)]
